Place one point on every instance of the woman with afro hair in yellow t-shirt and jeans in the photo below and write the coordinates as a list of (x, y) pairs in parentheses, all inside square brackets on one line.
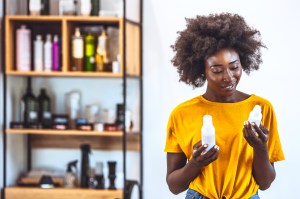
[(216, 49)]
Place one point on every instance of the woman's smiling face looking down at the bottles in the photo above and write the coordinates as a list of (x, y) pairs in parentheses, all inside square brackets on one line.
[(223, 71)]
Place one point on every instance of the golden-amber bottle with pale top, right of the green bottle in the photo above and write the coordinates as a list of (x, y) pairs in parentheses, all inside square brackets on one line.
[(102, 51)]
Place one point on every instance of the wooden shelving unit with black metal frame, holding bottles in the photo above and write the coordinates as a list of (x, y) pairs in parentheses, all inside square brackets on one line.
[(130, 48)]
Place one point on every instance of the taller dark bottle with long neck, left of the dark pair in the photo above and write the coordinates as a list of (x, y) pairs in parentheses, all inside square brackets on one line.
[(29, 107)]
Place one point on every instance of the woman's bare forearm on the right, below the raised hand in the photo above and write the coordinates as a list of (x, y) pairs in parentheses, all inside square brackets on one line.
[(263, 171)]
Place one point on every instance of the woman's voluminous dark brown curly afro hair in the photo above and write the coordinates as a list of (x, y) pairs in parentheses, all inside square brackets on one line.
[(205, 35)]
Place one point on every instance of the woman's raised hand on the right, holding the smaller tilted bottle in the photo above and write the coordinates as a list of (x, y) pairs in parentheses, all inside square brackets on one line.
[(256, 136)]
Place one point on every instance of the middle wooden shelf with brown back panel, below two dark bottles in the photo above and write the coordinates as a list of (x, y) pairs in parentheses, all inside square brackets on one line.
[(106, 140)]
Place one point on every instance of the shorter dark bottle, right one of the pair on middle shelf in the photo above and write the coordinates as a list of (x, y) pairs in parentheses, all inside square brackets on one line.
[(44, 109)]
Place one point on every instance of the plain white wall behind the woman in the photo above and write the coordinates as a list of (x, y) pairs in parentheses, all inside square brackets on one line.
[(276, 80)]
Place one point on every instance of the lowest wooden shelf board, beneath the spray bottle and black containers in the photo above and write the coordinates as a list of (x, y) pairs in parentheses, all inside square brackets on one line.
[(60, 193)]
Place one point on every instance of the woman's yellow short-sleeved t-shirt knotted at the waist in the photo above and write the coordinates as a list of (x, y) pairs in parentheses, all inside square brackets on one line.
[(231, 174)]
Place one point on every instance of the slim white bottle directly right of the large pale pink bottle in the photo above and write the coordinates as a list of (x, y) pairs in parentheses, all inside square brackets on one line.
[(38, 53)]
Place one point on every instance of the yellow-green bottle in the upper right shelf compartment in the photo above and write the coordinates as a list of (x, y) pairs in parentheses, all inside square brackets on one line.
[(89, 52)]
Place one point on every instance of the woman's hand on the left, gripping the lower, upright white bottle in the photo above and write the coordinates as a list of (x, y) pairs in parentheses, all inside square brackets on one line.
[(201, 158)]
